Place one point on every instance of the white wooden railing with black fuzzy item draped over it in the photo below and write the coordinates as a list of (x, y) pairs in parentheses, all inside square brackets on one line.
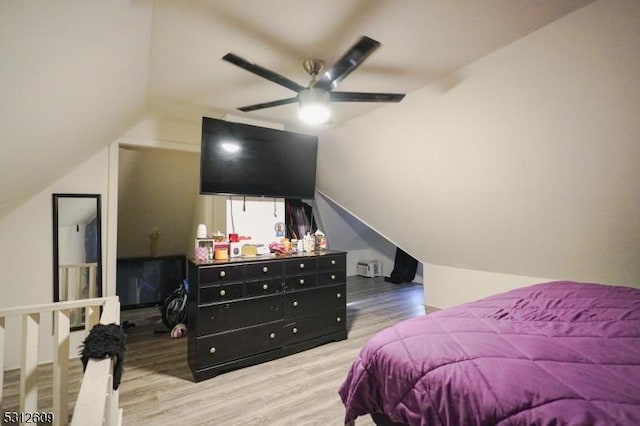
[(96, 382)]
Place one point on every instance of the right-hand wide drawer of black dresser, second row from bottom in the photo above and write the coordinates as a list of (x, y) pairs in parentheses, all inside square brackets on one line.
[(319, 299)]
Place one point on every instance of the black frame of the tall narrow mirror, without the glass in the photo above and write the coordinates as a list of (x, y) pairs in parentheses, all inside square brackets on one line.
[(56, 198)]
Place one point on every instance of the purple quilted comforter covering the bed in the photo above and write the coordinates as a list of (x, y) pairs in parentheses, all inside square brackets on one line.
[(559, 353)]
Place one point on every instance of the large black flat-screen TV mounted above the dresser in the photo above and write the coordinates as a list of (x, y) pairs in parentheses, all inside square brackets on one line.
[(241, 159)]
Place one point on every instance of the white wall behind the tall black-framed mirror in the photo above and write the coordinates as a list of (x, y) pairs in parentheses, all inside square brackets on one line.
[(26, 253)]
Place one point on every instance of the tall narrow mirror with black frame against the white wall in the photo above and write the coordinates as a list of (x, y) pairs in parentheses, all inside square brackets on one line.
[(77, 260)]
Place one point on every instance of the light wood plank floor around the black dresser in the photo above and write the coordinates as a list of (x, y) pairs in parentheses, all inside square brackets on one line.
[(301, 389)]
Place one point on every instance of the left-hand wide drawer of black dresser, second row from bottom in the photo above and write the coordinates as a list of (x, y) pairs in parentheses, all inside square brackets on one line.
[(240, 313)]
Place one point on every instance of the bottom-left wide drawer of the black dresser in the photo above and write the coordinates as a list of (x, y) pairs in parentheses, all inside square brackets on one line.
[(223, 347)]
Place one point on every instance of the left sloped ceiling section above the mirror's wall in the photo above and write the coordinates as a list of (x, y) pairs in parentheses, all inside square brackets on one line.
[(73, 77)]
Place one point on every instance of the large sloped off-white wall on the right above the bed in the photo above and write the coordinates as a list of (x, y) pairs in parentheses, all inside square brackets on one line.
[(525, 165)]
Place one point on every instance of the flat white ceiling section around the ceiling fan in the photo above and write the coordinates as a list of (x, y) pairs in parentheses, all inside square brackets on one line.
[(422, 41)]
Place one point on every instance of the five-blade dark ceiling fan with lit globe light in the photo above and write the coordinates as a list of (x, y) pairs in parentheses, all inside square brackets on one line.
[(314, 99)]
